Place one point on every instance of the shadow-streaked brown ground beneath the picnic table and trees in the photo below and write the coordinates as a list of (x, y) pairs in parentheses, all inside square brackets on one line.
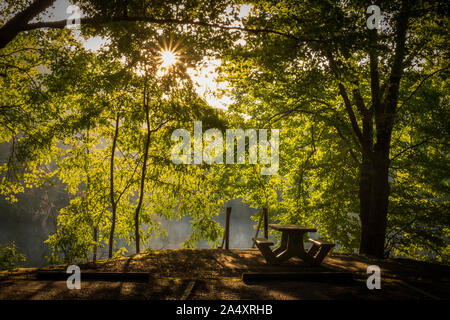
[(217, 274)]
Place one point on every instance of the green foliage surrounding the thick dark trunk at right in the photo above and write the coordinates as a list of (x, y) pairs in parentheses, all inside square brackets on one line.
[(283, 80)]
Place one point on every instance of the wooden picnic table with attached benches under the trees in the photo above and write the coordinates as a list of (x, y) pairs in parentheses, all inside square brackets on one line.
[(292, 245)]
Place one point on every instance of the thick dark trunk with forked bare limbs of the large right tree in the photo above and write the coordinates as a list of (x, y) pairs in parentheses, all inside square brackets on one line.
[(379, 118)]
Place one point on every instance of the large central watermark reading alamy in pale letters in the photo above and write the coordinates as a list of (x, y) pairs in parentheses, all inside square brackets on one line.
[(213, 152)]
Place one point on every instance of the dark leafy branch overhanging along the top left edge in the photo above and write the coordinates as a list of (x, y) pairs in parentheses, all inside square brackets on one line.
[(100, 13)]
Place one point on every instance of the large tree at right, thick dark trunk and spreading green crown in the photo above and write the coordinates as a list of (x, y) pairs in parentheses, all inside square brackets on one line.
[(335, 68)]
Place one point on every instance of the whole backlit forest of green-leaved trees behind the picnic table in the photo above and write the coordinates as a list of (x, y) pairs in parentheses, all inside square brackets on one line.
[(363, 117)]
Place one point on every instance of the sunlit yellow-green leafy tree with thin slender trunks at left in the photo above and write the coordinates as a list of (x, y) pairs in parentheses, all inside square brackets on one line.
[(81, 97)]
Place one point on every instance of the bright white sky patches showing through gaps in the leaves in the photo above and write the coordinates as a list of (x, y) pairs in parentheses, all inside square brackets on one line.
[(205, 79)]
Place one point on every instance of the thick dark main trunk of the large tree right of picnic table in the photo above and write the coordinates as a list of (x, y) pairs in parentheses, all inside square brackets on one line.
[(374, 173)]
